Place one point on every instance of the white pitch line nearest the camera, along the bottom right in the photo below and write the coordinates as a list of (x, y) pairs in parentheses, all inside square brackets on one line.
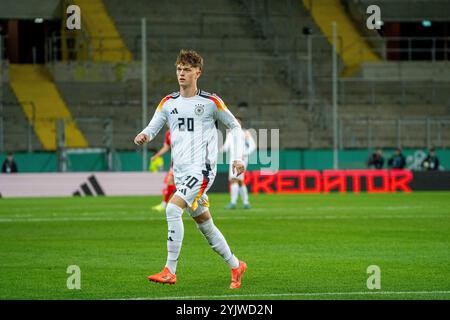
[(298, 294)]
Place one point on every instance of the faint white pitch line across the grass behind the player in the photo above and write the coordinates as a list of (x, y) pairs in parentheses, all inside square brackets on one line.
[(162, 218)]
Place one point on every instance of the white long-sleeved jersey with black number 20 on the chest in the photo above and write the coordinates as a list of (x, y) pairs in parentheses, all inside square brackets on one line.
[(193, 129)]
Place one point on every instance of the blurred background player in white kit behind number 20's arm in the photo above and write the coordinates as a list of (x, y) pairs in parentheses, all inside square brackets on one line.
[(237, 185)]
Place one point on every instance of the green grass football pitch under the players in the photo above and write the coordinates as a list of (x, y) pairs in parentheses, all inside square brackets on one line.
[(296, 247)]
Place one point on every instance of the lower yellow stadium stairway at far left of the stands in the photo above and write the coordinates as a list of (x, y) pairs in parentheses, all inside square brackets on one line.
[(33, 87)]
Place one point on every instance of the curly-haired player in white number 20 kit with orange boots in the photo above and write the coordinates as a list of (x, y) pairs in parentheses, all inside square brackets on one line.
[(192, 116)]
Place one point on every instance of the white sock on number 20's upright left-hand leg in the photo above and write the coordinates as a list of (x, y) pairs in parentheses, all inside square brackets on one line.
[(175, 235)]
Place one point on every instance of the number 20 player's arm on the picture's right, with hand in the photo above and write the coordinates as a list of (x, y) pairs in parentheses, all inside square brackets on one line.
[(227, 118)]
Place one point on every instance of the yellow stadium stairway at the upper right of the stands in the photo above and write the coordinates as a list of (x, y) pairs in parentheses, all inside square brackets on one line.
[(354, 50)]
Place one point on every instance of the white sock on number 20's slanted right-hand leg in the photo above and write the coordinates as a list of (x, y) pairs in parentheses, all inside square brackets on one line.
[(217, 241)]
